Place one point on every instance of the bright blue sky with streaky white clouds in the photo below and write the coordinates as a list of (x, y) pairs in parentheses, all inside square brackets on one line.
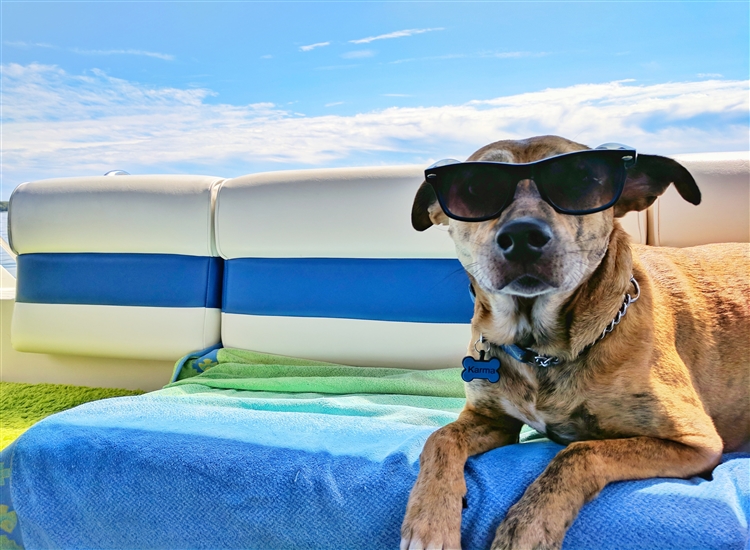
[(230, 88)]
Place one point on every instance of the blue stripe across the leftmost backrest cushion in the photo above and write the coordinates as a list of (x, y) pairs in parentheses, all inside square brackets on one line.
[(157, 280)]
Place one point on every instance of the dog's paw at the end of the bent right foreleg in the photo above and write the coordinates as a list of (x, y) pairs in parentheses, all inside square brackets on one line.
[(520, 530)]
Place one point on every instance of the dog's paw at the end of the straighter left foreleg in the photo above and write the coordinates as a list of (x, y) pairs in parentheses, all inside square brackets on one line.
[(432, 523)]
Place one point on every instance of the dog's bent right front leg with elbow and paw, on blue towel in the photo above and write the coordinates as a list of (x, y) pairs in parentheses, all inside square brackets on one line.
[(541, 517)]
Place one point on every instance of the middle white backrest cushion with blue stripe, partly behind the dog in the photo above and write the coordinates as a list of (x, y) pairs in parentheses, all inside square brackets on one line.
[(325, 265)]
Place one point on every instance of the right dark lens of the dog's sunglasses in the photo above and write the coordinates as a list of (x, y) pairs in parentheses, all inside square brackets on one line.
[(581, 183)]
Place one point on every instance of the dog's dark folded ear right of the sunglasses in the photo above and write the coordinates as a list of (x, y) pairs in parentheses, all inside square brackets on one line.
[(649, 178)]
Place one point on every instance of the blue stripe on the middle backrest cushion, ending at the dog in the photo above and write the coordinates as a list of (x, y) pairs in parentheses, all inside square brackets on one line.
[(415, 290)]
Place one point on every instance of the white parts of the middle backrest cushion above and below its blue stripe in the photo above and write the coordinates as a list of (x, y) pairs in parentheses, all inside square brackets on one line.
[(337, 213)]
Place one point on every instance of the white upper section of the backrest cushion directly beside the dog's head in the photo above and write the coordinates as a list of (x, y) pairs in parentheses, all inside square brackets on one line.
[(340, 212)]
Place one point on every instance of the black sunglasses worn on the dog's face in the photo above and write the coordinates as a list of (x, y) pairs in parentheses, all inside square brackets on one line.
[(577, 183)]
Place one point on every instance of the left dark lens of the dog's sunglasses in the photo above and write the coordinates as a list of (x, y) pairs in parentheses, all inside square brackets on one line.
[(472, 191)]
